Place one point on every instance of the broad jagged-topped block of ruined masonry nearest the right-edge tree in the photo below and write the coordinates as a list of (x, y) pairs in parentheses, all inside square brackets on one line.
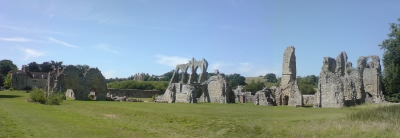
[(342, 85)]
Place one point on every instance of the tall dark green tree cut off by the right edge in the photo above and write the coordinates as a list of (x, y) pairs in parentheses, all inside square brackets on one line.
[(391, 63)]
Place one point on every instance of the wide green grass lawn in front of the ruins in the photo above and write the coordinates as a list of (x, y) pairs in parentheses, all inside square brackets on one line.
[(19, 118)]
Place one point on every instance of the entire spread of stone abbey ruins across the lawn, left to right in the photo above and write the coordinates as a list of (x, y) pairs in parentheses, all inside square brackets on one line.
[(340, 84)]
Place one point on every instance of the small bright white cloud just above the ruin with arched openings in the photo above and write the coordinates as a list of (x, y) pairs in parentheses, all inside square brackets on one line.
[(171, 61)]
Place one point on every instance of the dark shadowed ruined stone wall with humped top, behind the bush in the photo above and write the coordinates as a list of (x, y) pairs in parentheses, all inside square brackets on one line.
[(81, 84)]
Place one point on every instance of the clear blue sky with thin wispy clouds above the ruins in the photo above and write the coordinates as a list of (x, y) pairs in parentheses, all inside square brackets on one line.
[(124, 37)]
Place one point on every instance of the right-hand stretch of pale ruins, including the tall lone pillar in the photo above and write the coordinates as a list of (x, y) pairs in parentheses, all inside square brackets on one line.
[(339, 84)]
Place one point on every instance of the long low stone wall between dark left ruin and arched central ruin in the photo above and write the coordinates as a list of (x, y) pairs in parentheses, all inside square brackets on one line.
[(134, 93)]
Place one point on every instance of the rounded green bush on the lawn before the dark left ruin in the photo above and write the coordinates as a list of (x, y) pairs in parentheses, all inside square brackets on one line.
[(39, 95)]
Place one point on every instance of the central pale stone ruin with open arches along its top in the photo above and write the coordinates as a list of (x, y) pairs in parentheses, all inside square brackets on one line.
[(193, 87)]
